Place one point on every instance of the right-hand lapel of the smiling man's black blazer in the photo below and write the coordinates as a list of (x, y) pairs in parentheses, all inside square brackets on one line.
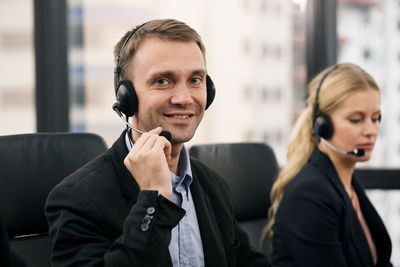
[(211, 238)]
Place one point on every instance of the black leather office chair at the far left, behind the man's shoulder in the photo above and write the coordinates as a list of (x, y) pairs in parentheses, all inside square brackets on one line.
[(31, 165)]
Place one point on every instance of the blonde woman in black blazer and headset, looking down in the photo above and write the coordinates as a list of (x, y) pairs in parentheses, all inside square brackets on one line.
[(320, 215)]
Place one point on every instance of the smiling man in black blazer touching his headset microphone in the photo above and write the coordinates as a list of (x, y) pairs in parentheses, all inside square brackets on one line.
[(144, 202)]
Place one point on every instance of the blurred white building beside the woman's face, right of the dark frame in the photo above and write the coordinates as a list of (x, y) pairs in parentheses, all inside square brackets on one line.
[(369, 35)]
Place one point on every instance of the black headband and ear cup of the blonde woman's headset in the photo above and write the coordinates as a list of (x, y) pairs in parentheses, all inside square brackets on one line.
[(322, 124)]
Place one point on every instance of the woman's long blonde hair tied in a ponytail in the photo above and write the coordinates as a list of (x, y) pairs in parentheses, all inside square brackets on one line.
[(341, 81)]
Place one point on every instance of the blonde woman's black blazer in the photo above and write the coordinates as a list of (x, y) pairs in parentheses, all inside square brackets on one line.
[(316, 224)]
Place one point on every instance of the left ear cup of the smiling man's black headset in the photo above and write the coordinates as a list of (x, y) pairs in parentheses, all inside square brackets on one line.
[(127, 98)]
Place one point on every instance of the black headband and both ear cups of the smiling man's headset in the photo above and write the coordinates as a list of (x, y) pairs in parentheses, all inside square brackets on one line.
[(127, 101)]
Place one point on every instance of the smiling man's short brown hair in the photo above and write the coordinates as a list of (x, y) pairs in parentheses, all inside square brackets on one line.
[(167, 29)]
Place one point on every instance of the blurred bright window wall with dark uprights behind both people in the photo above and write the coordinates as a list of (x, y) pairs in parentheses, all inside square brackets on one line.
[(56, 65)]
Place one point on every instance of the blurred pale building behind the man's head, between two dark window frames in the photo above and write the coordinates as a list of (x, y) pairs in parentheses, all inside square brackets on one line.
[(251, 48)]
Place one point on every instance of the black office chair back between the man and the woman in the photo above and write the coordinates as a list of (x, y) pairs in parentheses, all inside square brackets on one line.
[(250, 170)]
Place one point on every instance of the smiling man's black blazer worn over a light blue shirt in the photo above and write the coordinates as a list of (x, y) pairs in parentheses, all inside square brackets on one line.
[(96, 216)]
